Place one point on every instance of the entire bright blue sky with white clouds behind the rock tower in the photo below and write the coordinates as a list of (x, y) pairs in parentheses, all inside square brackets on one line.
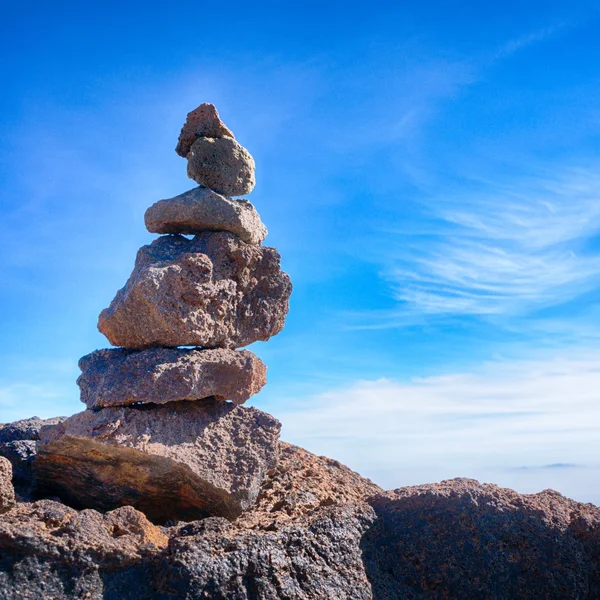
[(429, 174)]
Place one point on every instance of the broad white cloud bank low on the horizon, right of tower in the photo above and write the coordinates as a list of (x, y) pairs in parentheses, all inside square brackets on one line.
[(486, 423)]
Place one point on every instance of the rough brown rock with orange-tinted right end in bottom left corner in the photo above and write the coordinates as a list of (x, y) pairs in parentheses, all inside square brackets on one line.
[(50, 551)]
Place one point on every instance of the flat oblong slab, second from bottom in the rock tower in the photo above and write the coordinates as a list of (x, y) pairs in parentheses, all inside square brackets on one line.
[(119, 377)]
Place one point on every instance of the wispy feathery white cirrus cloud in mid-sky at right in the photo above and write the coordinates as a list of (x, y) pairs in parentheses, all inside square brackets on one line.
[(507, 250)]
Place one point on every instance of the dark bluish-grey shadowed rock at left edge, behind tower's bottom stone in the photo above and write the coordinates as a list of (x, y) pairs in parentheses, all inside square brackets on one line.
[(18, 444)]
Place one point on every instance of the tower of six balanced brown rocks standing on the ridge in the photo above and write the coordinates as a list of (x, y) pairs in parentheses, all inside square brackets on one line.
[(158, 432)]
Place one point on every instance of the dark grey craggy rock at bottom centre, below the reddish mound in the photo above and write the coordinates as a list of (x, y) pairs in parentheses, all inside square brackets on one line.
[(313, 557)]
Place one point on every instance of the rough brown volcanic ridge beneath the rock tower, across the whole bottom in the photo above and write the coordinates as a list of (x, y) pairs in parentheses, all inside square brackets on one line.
[(317, 530)]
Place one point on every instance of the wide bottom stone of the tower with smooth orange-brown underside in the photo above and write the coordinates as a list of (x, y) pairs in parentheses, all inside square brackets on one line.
[(181, 460)]
